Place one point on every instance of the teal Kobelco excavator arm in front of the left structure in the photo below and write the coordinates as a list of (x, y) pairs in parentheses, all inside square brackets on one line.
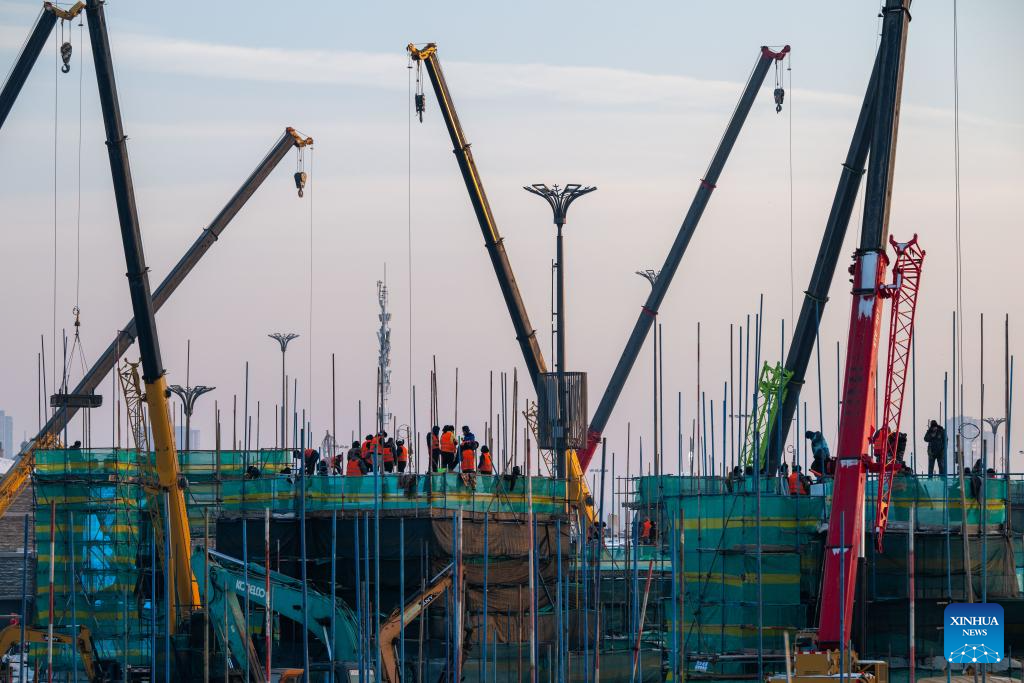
[(329, 621)]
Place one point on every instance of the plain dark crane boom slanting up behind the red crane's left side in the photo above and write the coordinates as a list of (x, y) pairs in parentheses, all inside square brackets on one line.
[(805, 334)]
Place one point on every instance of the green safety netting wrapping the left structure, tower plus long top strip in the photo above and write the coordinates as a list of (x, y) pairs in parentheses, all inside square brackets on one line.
[(103, 522)]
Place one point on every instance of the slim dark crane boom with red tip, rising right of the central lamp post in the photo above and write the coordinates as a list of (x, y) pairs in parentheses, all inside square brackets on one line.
[(661, 287)]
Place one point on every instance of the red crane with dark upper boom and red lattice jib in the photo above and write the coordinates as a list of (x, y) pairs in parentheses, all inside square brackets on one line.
[(831, 653)]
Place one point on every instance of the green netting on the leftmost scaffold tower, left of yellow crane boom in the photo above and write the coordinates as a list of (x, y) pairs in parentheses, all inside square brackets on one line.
[(94, 513)]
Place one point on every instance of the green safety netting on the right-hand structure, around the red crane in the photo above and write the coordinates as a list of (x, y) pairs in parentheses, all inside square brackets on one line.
[(719, 560)]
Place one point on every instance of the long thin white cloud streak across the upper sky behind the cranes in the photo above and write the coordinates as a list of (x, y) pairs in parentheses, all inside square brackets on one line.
[(590, 87)]
